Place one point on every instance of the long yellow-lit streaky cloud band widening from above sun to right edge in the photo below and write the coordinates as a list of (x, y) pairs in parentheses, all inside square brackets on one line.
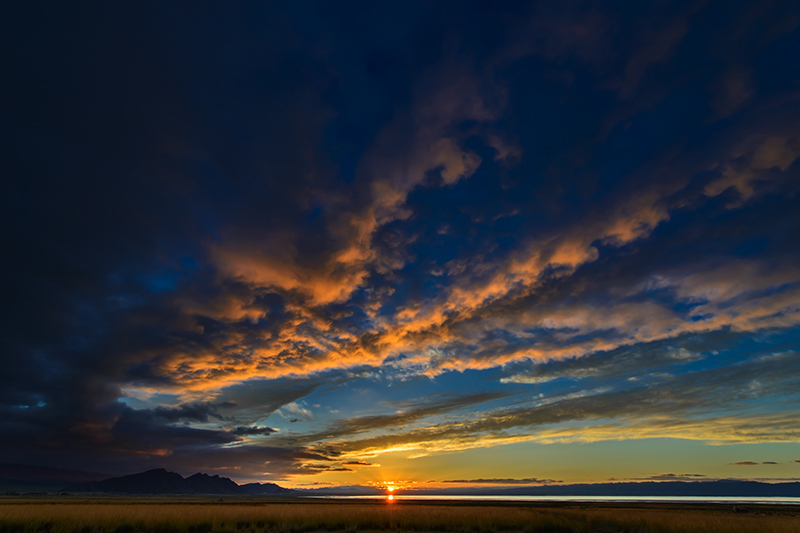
[(652, 410)]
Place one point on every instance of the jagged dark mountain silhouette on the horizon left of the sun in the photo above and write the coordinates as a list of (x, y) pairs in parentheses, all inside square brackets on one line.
[(160, 481)]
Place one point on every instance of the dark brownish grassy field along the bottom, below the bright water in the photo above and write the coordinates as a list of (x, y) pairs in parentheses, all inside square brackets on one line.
[(296, 516)]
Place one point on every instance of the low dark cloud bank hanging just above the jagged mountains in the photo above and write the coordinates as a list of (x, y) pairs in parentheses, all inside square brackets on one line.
[(129, 440)]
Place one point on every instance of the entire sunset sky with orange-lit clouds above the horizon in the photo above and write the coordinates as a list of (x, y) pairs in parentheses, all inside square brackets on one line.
[(421, 243)]
